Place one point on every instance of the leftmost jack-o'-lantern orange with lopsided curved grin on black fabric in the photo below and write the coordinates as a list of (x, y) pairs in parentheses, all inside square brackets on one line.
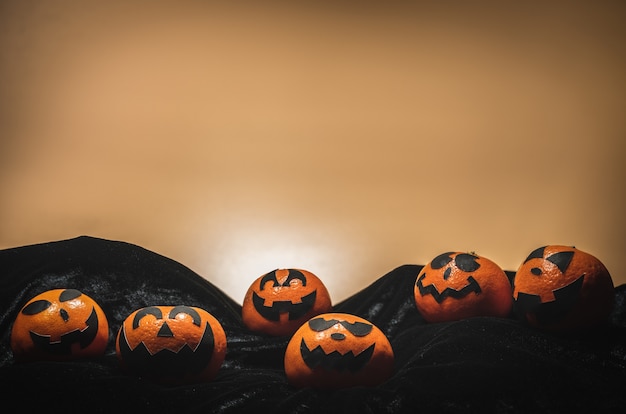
[(59, 324)]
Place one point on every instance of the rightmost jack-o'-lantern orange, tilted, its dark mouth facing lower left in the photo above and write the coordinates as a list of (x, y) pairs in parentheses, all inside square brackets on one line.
[(561, 288)]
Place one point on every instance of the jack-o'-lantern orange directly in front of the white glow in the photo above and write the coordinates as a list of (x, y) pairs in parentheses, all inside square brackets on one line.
[(278, 302)]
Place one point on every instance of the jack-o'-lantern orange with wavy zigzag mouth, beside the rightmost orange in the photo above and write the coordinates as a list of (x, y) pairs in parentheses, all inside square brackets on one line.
[(456, 285)]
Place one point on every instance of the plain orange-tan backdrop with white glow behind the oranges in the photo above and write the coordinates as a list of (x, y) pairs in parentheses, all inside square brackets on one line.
[(346, 139)]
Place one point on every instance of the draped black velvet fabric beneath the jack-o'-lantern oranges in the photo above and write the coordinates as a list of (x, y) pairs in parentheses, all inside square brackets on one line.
[(473, 365)]
